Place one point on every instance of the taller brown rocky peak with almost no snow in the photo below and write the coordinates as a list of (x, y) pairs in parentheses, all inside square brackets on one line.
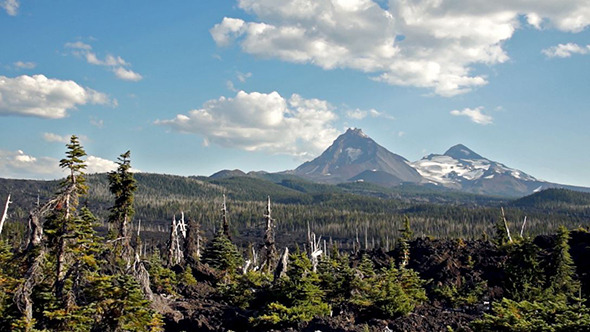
[(353, 153)]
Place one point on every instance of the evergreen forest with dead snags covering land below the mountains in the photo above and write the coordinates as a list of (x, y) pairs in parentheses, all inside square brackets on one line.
[(142, 252)]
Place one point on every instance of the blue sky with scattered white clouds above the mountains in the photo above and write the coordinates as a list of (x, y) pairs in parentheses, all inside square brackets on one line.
[(194, 87)]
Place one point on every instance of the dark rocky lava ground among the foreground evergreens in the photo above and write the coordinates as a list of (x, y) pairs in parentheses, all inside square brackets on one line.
[(452, 263)]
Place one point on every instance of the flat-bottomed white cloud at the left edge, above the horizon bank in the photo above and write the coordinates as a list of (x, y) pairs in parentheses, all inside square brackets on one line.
[(44, 97)]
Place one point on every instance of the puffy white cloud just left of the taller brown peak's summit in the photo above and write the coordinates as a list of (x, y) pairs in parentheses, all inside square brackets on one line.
[(262, 122)]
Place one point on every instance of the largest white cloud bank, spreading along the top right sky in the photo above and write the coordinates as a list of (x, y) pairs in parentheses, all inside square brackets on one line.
[(420, 43)]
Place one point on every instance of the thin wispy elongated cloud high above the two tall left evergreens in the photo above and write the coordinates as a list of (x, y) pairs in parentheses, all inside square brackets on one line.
[(116, 64)]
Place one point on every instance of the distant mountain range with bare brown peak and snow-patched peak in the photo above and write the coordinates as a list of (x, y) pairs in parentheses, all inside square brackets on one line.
[(355, 157)]
